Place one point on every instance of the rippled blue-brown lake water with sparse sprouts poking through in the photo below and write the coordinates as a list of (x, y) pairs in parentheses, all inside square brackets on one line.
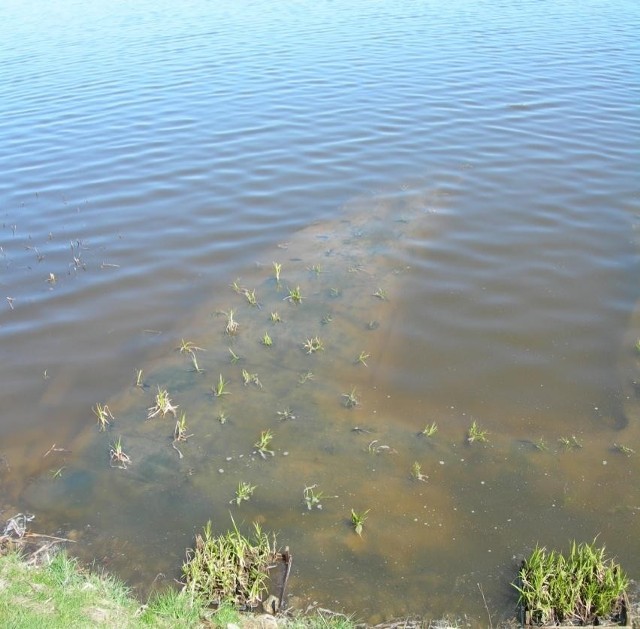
[(454, 189)]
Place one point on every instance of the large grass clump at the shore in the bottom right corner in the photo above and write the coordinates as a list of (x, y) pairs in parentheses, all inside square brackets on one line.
[(583, 586)]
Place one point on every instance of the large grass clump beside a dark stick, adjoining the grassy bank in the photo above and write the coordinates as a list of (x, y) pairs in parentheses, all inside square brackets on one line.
[(230, 567)]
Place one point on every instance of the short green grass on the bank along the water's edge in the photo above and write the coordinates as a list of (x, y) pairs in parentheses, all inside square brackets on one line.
[(60, 594)]
